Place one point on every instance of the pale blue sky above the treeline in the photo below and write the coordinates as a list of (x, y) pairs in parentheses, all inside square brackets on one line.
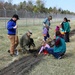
[(64, 4)]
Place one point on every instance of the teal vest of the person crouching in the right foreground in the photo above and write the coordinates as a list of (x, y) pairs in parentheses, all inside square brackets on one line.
[(61, 47)]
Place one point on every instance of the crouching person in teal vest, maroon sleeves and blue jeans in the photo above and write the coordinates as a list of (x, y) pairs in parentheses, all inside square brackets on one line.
[(59, 48)]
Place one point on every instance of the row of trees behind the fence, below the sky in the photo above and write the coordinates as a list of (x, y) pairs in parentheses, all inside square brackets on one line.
[(38, 6)]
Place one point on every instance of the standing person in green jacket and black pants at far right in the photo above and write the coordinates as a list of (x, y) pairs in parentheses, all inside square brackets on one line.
[(66, 28)]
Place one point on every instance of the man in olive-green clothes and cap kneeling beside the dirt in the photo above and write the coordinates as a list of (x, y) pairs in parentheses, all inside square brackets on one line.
[(26, 41)]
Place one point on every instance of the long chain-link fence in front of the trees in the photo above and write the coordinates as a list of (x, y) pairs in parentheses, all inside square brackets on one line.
[(29, 18)]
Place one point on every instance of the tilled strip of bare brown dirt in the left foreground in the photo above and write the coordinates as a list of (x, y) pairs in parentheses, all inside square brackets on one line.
[(20, 67)]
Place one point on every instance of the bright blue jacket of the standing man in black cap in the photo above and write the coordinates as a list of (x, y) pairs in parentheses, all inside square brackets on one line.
[(11, 31)]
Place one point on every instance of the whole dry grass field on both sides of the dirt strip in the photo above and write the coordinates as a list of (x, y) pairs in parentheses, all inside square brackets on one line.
[(49, 66)]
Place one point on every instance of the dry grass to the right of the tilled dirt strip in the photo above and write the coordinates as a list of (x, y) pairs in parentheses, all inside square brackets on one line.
[(52, 66)]
